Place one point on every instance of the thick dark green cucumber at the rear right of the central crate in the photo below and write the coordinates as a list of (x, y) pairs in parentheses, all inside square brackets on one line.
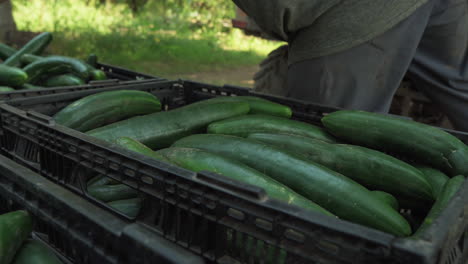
[(427, 144)]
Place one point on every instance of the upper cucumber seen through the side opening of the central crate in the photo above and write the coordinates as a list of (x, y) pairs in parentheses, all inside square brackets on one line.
[(109, 193)]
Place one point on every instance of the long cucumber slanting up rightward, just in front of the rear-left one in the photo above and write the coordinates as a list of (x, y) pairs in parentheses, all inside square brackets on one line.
[(161, 129)]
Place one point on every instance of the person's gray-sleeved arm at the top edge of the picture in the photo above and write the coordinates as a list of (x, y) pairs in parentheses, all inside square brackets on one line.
[(284, 18)]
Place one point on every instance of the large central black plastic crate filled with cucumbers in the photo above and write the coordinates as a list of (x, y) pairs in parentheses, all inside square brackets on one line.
[(222, 220)]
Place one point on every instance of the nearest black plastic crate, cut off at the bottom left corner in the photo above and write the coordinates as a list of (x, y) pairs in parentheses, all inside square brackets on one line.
[(76, 230)]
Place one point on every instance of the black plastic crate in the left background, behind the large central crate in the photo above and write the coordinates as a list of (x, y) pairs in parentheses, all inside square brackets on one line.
[(116, 75)]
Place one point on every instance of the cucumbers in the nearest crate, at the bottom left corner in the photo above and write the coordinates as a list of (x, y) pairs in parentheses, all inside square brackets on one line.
[(15, 247)]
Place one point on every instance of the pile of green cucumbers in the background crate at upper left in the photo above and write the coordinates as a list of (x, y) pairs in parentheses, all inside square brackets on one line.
[(26, 69)]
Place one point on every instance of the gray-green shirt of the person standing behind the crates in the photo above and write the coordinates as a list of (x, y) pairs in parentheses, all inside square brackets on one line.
[(315, 28)]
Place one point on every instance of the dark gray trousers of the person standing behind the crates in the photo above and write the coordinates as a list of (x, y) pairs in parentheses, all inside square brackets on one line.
[(431, 46)]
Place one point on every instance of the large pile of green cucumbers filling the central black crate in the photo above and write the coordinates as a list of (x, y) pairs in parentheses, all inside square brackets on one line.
[(361, 167)]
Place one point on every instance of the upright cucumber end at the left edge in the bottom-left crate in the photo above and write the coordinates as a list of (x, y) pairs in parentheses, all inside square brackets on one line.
[(15, 227)]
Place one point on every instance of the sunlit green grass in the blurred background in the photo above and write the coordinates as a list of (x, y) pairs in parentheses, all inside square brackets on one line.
[(160, 41)]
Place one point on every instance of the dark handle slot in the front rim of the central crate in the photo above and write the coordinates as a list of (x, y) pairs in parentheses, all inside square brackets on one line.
[(250, 191)]
